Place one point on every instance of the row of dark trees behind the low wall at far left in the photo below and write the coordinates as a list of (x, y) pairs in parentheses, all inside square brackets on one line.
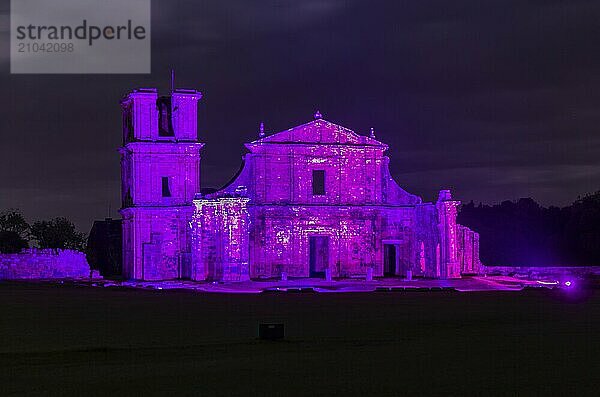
[(17, 234)]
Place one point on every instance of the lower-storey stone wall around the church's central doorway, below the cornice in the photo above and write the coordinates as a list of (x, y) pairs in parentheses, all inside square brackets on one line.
[(280, 239)]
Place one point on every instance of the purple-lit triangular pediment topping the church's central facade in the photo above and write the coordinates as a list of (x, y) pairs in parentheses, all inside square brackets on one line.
[(320, 131)]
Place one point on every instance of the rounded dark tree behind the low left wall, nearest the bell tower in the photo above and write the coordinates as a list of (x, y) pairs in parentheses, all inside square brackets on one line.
[(58, 233)]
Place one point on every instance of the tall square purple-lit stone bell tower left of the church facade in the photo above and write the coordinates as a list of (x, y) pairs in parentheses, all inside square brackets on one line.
[(160, 174)]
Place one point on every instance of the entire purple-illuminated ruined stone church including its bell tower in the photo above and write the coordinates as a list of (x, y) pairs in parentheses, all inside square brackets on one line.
[(316, 200)]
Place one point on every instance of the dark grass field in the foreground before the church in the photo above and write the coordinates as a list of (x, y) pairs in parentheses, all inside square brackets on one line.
[(67, 340)]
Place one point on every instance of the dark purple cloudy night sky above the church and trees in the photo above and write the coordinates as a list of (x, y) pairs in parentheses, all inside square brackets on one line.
[(494, 99)]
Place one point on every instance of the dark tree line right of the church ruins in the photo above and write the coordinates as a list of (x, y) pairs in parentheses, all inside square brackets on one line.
[(524, 233)]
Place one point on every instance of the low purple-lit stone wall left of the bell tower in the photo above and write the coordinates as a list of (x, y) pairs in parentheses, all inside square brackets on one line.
[(43, 264)]
